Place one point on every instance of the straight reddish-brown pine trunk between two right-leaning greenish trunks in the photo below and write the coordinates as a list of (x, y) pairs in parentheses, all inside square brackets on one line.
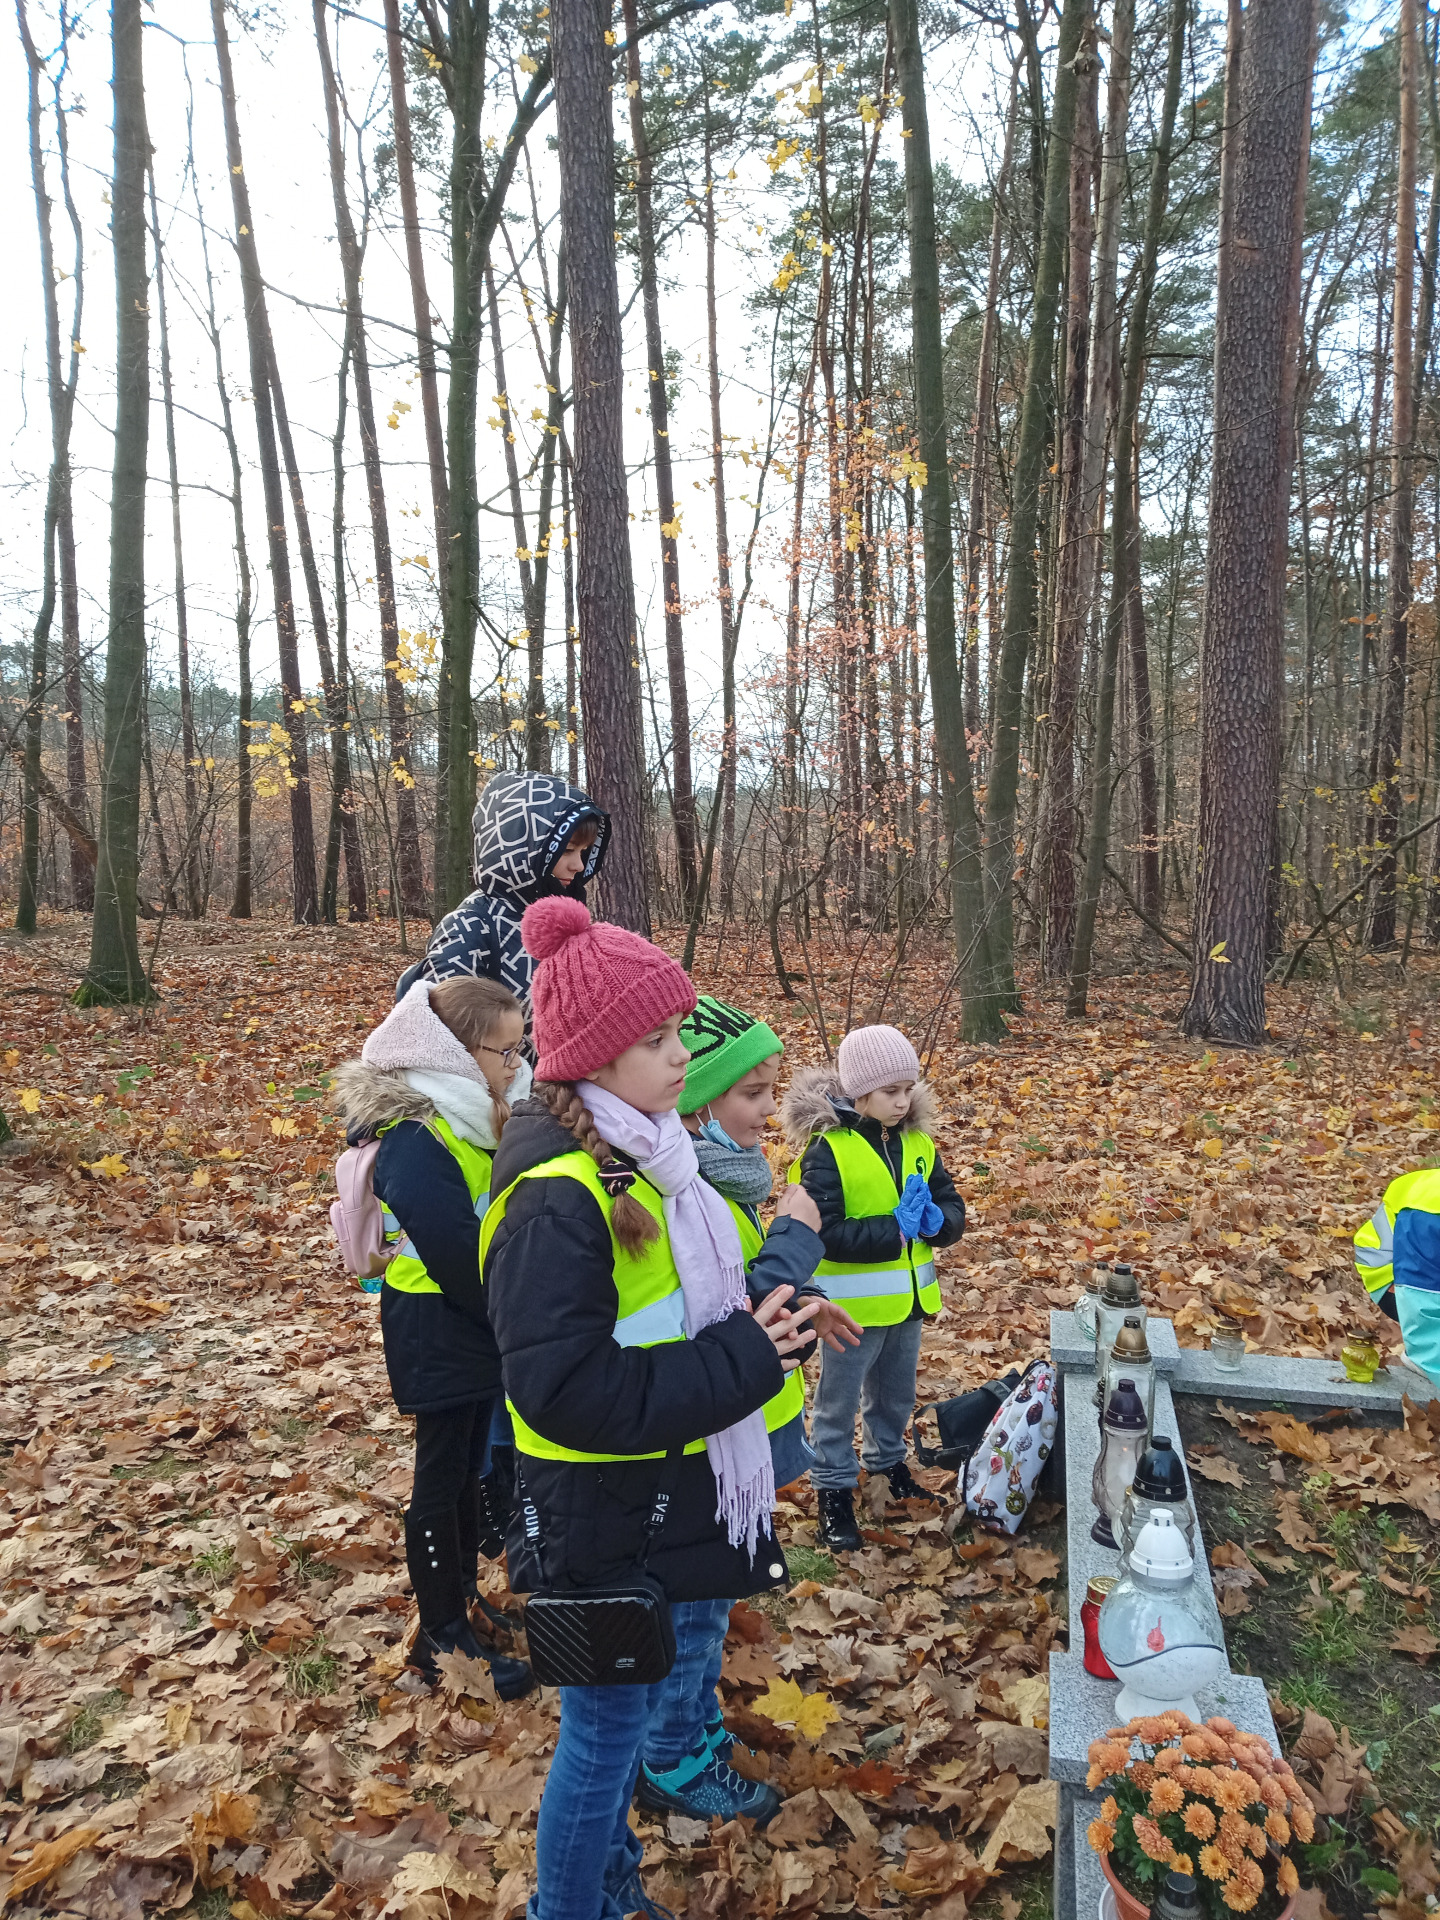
[(1072, 612)]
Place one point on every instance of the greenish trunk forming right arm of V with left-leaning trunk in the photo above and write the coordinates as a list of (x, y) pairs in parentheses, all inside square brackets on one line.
[(1020, 596)]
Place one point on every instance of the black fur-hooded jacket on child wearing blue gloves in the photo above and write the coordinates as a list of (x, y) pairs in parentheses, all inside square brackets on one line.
[(815, 1107)]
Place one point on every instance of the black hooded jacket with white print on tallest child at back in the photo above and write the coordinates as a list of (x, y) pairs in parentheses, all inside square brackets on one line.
[(521, 828)]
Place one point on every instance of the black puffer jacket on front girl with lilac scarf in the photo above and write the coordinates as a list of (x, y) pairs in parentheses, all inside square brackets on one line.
[(552, 1303)]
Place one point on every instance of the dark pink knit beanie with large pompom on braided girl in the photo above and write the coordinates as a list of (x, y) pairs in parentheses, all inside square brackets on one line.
[(598, 988)]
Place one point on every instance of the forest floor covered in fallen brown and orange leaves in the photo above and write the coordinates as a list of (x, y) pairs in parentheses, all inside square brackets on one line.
[(203, 1596)]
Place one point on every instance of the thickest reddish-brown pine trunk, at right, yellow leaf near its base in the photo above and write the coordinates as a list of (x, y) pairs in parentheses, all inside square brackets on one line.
[(1257, 325)]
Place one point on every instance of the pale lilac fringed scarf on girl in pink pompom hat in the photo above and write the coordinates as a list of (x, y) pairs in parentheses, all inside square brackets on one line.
[(711, 1268)]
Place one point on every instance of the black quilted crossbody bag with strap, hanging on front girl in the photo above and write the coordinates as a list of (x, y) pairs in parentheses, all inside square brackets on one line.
[(602, 1635)]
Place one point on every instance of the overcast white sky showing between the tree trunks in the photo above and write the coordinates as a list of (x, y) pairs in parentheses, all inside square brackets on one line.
[(283, 133)]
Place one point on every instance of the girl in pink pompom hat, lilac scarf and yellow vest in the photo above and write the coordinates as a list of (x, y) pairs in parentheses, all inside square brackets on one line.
[(615, 1285)]
